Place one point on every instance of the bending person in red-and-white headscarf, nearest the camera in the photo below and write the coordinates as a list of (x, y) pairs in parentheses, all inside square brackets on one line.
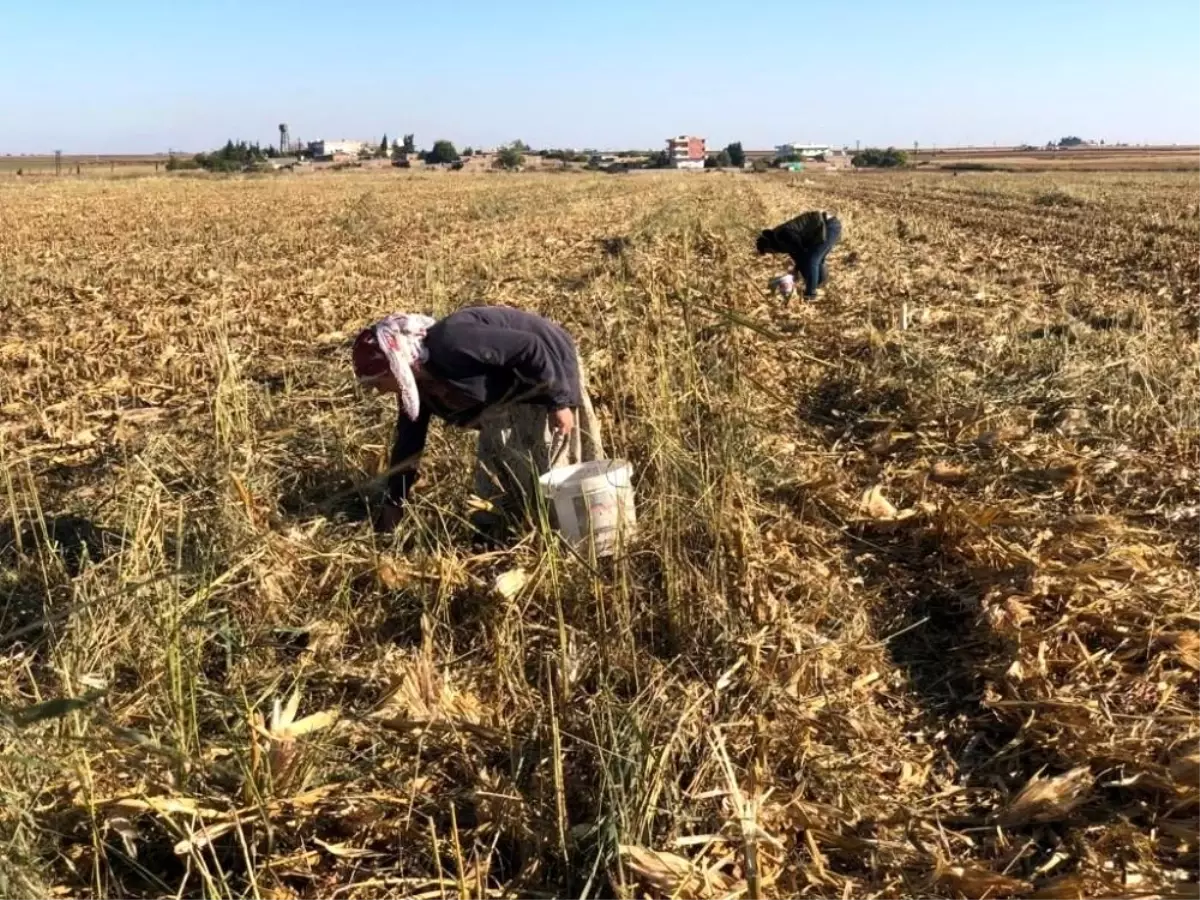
[(511, 375)]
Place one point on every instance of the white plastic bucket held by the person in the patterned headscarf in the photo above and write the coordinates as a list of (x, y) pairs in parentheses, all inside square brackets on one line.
[(593, 503)]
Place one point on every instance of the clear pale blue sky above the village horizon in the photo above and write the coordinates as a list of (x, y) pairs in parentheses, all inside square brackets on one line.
[(134, 76)]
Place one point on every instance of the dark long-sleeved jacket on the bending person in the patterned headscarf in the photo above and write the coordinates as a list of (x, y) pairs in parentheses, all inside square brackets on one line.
[(484, 357)]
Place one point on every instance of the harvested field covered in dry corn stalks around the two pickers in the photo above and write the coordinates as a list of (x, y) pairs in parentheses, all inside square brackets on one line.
[(913, 610)]
